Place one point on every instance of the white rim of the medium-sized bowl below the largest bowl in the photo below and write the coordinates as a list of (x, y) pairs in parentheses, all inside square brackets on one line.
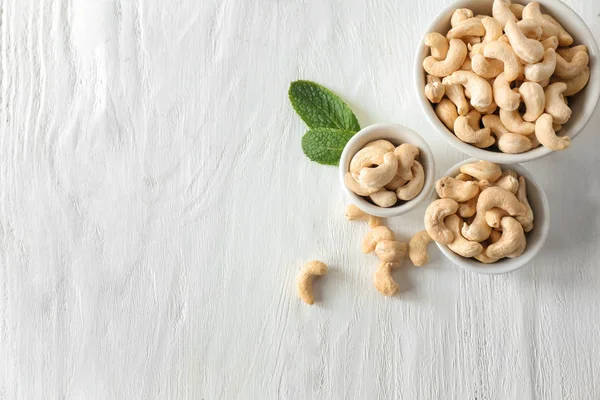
[(531, 251)]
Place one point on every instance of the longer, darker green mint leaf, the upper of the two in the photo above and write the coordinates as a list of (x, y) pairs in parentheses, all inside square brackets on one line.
[(320, 108)]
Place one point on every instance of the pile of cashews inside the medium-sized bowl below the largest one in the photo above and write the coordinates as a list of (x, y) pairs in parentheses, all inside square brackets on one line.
[(483, 213)]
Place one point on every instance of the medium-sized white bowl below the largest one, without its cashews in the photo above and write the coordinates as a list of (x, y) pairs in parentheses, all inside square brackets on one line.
[(535, 239)]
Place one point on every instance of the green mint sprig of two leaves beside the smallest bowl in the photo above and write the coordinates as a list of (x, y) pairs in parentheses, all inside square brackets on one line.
[(331, 121)]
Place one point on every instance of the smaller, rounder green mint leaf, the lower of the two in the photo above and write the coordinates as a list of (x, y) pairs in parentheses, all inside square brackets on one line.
[(325, 145)]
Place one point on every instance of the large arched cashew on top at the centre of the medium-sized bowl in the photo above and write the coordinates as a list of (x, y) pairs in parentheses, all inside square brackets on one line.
[(493, 197)]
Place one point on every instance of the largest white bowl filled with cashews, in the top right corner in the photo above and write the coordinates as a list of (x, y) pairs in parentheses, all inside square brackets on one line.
[(508, 81)]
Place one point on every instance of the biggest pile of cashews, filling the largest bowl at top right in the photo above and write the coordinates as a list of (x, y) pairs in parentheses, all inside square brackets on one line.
[(516, 68)]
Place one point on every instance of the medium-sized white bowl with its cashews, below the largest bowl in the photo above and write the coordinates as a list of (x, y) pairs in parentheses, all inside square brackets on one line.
[(493, 230)]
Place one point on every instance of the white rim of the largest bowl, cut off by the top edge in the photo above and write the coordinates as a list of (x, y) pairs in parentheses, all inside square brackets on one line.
[(499, 157)]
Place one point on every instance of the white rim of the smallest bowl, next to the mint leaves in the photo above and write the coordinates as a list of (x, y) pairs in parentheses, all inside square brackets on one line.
[(425, 152)]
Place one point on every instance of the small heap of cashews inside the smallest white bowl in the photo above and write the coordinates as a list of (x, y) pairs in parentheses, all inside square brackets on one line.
[(385, 173)]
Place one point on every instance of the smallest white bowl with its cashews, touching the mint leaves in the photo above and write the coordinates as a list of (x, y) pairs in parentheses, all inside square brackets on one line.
[(387, 169)]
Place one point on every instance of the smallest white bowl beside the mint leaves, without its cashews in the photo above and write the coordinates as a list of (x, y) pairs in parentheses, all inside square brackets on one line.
[(396, 134)]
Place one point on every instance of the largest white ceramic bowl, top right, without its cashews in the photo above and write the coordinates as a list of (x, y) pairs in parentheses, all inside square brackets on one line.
[(582, 104)]
